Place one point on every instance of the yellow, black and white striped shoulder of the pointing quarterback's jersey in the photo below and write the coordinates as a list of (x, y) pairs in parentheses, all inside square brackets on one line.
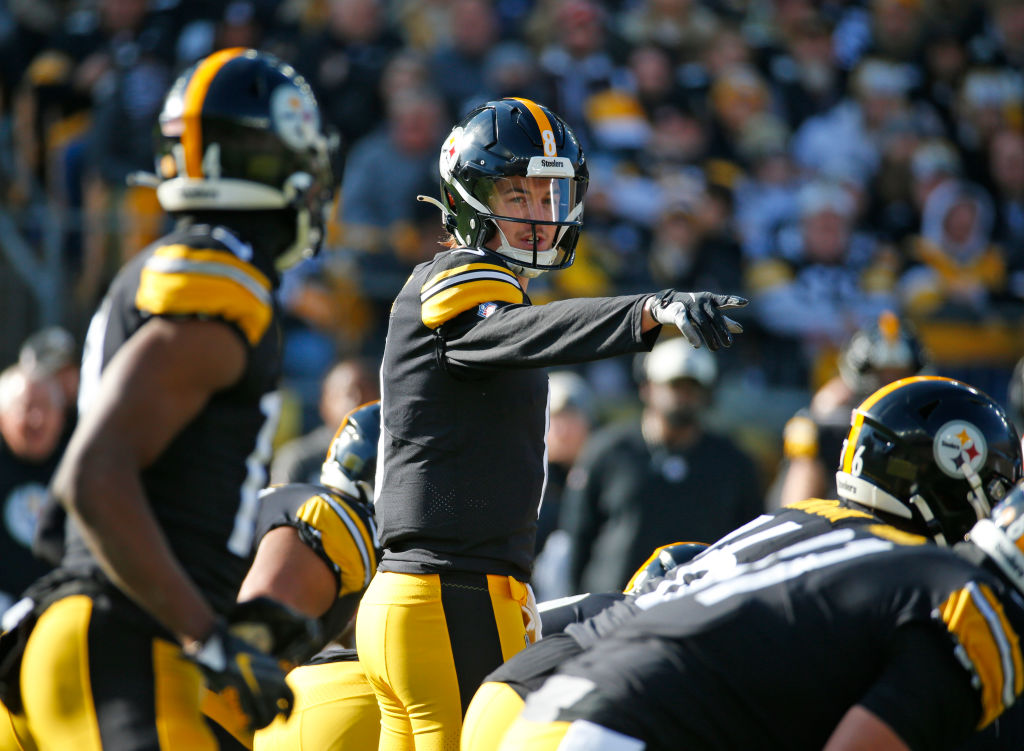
[(460, 283)]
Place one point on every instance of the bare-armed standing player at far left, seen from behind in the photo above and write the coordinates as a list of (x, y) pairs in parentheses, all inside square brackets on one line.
[(178, 410)]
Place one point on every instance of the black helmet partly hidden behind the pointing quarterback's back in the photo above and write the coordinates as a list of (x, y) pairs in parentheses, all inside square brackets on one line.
[(352, 458)]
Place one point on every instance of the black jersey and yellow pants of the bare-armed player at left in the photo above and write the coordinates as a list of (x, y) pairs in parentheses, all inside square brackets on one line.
[(119, 674)]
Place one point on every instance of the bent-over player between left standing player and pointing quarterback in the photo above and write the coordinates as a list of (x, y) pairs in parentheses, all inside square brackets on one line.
[(316, 553)]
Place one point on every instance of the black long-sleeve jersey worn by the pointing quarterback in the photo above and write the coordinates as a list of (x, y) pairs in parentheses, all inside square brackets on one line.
[(464, 410)]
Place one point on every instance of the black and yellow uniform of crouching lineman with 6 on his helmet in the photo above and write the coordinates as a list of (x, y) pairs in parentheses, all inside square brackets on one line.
[(502, 695)]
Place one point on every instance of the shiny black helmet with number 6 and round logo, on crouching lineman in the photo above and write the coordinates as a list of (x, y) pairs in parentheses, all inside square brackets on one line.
[(931, 455)]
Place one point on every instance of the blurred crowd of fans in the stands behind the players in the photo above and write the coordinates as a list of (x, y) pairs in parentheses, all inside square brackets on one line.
[(829, 160)]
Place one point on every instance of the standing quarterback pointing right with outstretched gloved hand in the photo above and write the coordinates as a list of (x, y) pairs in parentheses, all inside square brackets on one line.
[(464, 413)]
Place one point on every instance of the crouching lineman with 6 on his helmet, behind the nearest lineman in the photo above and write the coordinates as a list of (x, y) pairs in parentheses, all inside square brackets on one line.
[(925, 460)]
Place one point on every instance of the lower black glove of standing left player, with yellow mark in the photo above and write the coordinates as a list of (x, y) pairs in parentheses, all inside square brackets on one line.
[(230, 663)]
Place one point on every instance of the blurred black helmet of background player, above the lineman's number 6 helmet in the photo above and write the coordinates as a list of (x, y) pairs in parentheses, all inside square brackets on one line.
[(874, 354)]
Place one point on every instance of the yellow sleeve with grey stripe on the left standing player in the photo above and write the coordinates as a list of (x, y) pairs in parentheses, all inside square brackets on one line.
[(179, 280)]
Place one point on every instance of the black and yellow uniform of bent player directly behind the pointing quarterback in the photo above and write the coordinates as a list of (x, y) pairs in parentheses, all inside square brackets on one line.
[(342, 531)]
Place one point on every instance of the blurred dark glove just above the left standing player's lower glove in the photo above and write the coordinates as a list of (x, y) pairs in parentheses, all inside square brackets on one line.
[(276, 630)]
